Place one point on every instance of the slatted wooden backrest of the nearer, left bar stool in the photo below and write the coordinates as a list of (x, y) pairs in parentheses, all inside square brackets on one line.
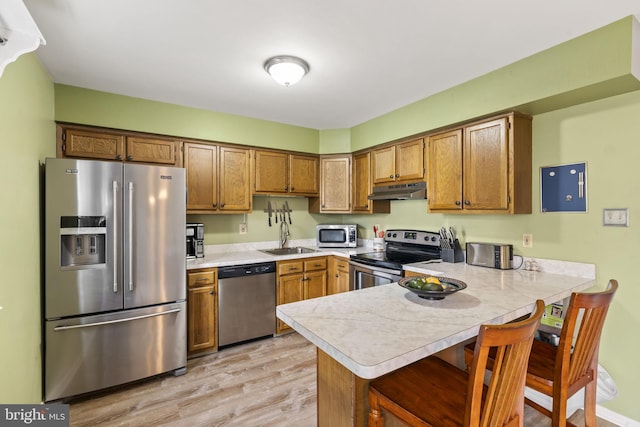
[(503, 403)]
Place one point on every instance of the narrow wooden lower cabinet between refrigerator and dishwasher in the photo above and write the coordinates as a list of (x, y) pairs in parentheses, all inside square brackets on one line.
[(202, 311)]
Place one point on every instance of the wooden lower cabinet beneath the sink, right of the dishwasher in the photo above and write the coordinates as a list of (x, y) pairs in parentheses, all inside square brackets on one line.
[(298, 280)]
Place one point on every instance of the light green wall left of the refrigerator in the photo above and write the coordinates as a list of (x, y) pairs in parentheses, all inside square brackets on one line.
[(26, 135)]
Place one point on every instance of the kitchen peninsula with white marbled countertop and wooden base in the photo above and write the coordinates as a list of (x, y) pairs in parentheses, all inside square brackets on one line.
[(364, 334)]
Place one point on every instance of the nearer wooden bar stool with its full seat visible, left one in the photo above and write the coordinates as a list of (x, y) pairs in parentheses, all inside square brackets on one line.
[(431, 392)]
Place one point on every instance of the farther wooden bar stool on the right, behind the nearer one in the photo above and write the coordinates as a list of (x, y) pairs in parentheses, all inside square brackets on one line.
[(560, 372)]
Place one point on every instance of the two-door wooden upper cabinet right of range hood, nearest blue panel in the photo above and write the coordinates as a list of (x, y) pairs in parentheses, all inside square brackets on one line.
[(482, 167)]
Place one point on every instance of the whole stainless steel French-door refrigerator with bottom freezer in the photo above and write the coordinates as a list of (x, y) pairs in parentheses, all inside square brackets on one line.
[(115, 294)]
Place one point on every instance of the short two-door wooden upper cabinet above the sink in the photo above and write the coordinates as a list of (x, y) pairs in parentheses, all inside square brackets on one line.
[(286, 173)]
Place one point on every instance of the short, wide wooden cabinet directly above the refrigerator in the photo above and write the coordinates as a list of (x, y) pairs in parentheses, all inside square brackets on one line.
[(103, 144)]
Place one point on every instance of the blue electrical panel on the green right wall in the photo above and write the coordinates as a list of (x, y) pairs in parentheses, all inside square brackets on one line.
[(564, 188)]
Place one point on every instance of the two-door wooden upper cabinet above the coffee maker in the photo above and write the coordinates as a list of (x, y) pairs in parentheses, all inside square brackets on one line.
[(218, 178)]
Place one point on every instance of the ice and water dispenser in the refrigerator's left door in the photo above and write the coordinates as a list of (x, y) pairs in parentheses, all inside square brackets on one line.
[(82, 241)]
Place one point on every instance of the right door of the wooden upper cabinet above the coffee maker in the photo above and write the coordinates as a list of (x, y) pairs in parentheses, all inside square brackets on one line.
[(235, 186)]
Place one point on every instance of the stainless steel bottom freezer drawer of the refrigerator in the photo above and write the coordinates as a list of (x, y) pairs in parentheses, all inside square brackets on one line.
[(95, 352)]
